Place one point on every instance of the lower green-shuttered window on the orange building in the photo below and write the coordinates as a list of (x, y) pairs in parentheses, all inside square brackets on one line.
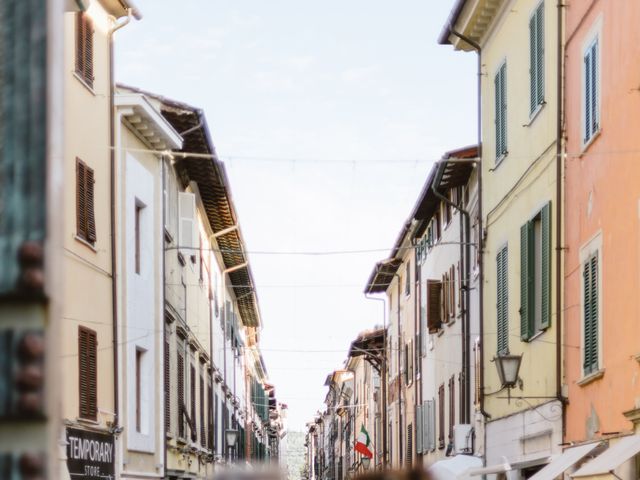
[(590, 315)]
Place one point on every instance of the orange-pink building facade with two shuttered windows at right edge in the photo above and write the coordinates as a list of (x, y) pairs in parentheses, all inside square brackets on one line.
[(602, 218)]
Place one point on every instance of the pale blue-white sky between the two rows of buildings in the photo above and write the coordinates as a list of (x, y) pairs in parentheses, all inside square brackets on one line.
[(359, 81)]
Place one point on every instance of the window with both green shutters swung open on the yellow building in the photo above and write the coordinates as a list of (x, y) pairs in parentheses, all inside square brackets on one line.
[(535, 274)]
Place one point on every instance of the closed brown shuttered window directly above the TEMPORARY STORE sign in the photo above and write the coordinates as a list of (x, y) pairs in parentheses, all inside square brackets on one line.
[(88, 373)]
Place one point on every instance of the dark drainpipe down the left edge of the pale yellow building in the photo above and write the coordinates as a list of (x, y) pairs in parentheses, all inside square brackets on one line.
[(480, 246)]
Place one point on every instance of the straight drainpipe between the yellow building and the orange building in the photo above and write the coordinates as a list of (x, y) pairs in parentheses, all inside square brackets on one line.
[(559, 248)]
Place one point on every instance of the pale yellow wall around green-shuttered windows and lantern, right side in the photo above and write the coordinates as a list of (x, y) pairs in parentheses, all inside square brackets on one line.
[(514, 190)]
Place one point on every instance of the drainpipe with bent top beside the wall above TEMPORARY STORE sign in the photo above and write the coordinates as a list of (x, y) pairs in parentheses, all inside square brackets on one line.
[(112, 220)]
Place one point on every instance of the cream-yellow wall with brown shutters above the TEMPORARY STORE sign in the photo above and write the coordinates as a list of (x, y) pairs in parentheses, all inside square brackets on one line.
[(87, 269)]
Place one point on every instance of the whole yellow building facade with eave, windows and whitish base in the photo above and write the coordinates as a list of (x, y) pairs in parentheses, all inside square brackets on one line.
[(518, 57)]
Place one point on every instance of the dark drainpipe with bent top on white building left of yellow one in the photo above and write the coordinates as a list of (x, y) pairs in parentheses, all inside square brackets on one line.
[(464, 256)]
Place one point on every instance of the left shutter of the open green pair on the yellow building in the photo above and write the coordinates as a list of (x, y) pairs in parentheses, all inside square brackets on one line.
[(527, 316)]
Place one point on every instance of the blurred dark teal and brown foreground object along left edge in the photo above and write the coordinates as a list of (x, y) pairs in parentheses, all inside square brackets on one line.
[(30, 99)]
